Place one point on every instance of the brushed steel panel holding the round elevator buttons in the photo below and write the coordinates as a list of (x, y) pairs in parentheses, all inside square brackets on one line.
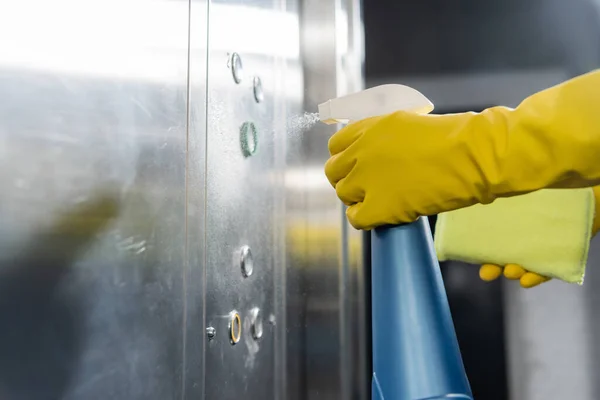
[(244, 191)]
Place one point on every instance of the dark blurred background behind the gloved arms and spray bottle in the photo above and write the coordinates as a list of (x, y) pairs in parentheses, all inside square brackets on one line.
[(467, 56)]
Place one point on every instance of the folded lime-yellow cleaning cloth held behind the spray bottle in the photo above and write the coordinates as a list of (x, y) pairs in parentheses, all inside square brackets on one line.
[(547, 232)]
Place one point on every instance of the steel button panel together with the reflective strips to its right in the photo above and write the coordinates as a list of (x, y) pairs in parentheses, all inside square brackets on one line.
[(306, 282)]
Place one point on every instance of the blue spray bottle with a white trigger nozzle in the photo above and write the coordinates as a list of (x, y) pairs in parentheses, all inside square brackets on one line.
[(415, 350)]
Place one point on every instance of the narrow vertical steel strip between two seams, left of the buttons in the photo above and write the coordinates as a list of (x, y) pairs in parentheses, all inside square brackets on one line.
[(195, 278)]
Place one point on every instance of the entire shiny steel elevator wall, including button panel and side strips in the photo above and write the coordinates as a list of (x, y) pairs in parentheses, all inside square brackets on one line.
[(129, 188)]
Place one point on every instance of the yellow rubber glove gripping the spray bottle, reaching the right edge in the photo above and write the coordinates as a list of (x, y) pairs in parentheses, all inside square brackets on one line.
[(394, 168)]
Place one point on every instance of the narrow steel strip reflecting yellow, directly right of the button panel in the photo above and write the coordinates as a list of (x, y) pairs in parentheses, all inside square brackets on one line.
[(321, 283)]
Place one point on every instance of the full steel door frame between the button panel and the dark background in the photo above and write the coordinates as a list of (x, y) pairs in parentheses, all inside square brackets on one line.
[(325, 314)]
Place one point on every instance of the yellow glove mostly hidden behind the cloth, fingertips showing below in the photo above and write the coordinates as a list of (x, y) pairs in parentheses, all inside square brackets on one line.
[(490, 272)]
